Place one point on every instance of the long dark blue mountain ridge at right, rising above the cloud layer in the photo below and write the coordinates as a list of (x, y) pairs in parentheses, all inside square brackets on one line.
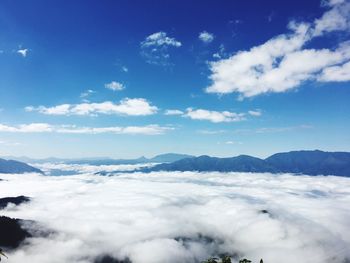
[(299, 162)]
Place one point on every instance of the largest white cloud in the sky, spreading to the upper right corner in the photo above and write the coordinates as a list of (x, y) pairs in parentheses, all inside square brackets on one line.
[(283, 63)]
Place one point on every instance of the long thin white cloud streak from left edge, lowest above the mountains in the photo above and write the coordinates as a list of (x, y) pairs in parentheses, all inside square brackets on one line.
[(72, 129)]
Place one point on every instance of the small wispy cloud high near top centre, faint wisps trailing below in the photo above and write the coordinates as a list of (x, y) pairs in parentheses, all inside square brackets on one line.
[(155, 48)]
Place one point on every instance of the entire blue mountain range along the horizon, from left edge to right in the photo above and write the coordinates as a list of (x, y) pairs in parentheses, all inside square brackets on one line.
[(296, 162)]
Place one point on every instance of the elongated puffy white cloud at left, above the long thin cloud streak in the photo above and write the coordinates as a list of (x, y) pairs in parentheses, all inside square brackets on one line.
[(127, 106)]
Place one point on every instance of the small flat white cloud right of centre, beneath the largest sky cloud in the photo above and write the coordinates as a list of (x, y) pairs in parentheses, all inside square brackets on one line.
[(214, 116)]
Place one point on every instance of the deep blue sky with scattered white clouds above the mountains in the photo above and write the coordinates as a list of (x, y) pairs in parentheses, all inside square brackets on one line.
[(132, 78)]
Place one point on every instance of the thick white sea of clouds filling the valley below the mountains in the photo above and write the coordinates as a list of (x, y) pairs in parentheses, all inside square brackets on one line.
[(183, 217)]
